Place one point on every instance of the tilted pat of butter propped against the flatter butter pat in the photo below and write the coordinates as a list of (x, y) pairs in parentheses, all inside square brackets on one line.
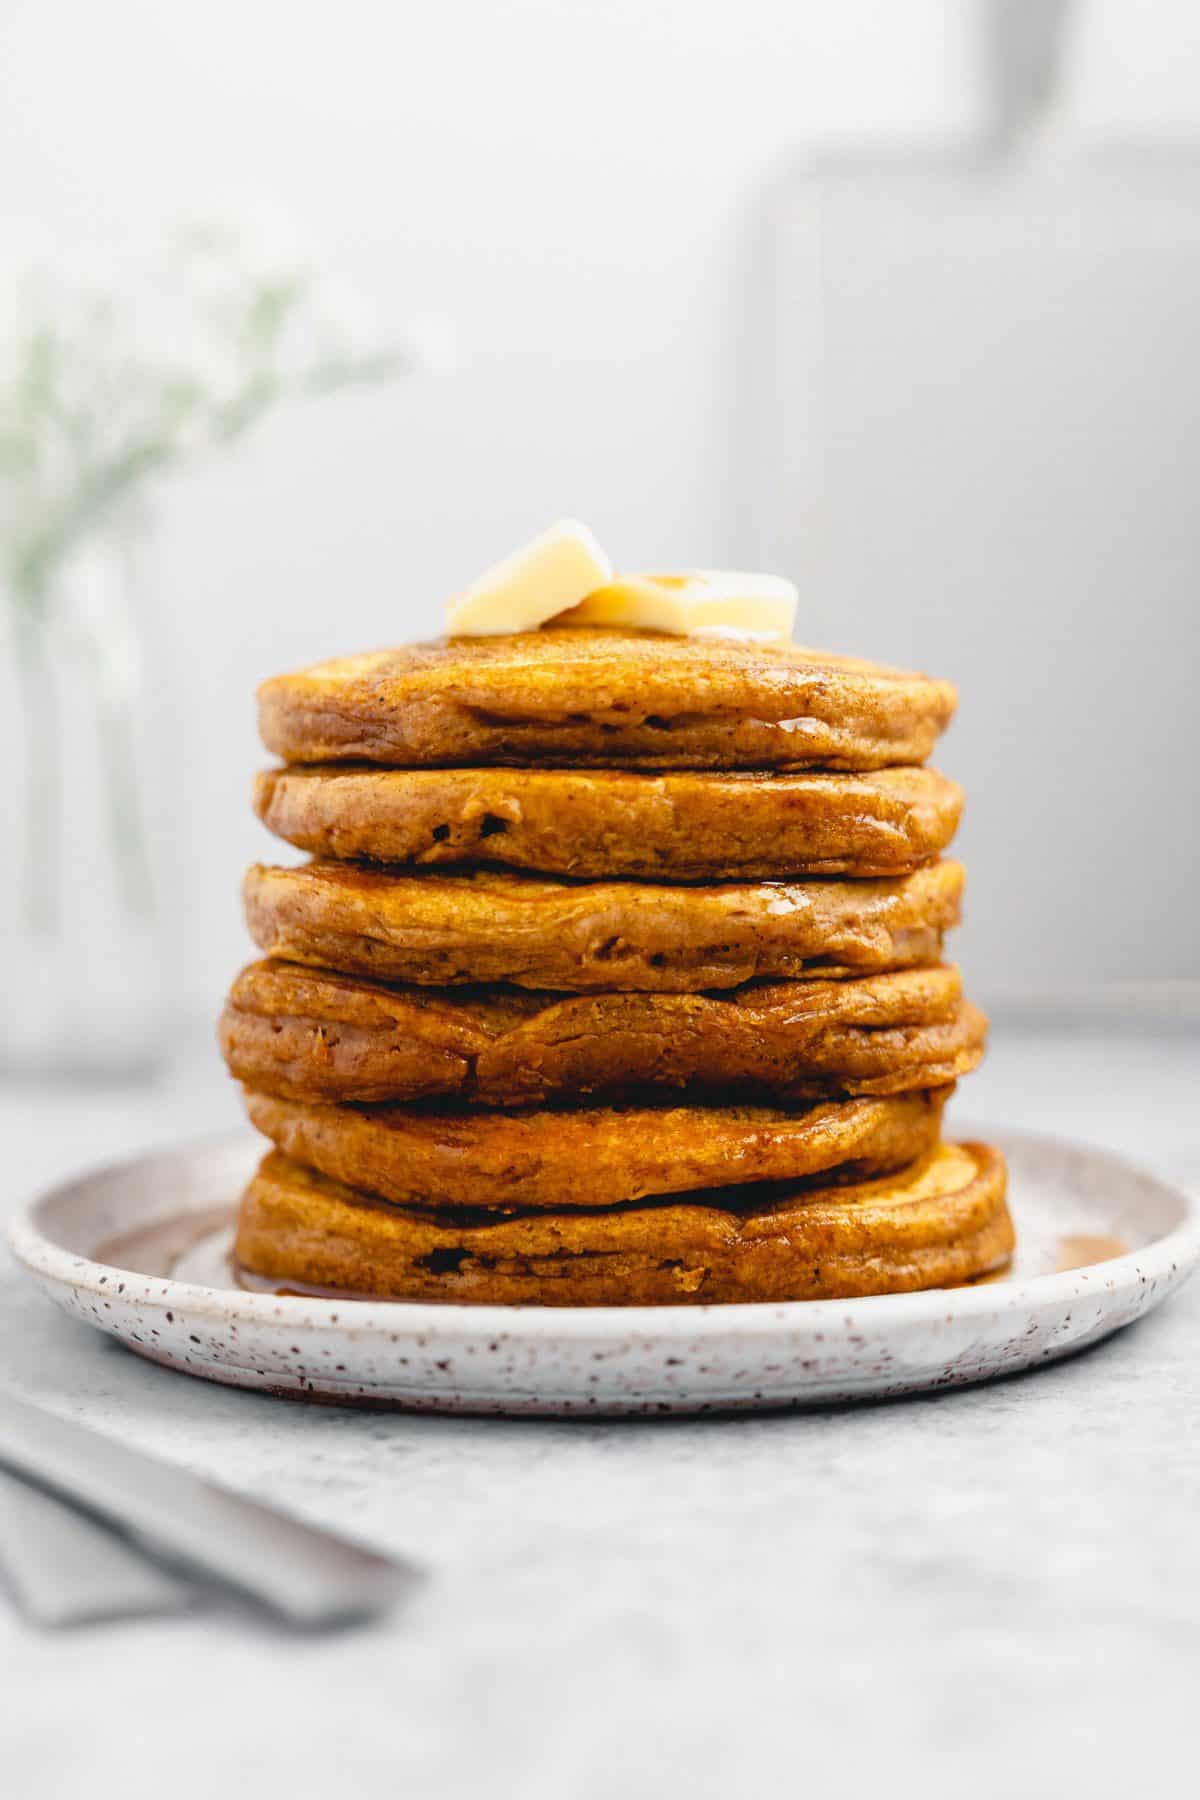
[(532, 586)]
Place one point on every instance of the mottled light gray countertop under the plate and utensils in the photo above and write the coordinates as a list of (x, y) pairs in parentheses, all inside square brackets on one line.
[(987, 1592)]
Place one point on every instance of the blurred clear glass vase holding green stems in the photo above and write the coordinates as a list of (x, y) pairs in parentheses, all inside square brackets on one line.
[(80, 919)]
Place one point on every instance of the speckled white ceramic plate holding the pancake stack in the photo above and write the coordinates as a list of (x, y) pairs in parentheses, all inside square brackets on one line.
[(181, 1306)]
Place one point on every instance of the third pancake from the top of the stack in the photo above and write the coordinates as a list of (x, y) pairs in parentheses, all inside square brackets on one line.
[(539, 933)]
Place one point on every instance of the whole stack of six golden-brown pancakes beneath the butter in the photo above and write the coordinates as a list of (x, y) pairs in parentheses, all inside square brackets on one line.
[(616, 980)]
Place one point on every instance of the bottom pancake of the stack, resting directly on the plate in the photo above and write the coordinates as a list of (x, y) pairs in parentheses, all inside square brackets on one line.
[(935, 1225)]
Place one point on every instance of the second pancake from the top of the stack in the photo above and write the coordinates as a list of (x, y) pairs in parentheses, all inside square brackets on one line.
[(613, 822)]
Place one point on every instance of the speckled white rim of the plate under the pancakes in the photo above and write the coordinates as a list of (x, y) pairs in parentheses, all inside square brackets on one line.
[(1176, 1252)]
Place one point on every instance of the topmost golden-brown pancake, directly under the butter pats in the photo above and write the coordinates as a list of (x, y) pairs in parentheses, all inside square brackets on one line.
[(582, 696)]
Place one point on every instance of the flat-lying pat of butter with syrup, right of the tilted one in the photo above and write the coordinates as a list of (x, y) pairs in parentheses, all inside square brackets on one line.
[(695, 604)]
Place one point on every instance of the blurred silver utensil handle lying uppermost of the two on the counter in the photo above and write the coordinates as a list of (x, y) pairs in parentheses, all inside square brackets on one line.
[(307, 1576)]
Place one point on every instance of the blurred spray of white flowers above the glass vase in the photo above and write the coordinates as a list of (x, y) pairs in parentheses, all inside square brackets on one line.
[(114, 370)]
